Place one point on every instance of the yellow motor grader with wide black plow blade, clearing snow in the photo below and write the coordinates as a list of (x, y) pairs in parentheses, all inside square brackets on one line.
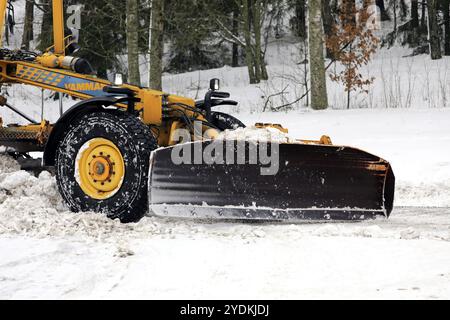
[(124, 151)]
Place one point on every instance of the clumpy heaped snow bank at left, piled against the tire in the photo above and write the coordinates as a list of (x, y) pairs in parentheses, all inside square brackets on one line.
[(32, 206)]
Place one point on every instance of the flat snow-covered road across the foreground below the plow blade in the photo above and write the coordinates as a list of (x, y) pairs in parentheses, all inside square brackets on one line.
[(405, 257)]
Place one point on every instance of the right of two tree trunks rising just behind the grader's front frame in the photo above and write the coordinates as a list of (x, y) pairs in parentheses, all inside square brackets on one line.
[(156, 45)]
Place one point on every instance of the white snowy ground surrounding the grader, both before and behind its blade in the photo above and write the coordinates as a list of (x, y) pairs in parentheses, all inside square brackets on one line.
[(46, 252)]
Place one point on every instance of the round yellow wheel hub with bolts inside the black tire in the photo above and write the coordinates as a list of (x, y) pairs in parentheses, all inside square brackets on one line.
[(101, 169)]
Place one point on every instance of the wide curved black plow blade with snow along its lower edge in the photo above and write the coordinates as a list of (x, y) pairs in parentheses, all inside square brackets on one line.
[(313, 182)]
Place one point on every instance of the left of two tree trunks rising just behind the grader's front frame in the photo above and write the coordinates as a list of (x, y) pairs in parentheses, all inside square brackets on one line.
[(134, 75)]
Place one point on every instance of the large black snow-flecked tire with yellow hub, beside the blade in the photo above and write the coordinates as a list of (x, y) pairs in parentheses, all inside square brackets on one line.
[(102, 165)]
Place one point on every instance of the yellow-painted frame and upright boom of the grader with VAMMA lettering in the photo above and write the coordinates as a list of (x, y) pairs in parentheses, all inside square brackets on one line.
[(50, 72)]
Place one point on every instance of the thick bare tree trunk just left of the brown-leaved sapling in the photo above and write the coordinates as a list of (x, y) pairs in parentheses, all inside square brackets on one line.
[(319, 97)]
